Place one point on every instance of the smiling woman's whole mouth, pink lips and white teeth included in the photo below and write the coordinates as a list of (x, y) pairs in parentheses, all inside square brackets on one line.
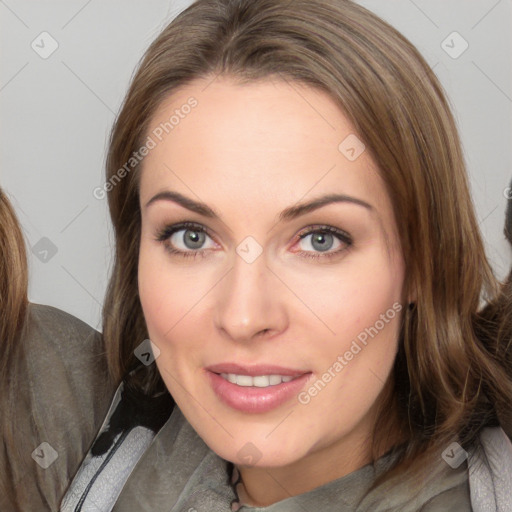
[(256, 389)]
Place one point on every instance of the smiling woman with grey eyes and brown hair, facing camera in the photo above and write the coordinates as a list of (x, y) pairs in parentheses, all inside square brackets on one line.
[(281, 180)]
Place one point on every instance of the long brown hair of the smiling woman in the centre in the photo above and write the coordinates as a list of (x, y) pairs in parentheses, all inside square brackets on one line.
[(446, 381)]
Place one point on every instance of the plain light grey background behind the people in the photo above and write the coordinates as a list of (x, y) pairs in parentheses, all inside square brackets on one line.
[(57, 112)]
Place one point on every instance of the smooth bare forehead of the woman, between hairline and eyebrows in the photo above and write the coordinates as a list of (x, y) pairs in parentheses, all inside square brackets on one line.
[(274, 139)]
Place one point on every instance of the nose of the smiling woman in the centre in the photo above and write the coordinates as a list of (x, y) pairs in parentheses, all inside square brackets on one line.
[(250, 302)]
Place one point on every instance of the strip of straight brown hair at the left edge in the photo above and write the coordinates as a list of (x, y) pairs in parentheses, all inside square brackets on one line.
[(13, 311)]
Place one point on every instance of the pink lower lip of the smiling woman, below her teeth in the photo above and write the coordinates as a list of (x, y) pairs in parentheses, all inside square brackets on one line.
[(252, 399)]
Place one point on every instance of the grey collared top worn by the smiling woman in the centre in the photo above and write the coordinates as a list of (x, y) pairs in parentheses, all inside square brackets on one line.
[(177, 472)]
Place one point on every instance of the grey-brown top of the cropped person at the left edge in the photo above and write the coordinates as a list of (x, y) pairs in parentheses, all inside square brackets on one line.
[(62, 394)]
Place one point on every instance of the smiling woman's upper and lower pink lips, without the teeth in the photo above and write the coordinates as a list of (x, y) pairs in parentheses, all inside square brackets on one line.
[(252, 399)]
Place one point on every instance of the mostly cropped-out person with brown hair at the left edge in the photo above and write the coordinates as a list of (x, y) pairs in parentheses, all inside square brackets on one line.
[(54, 386)]
